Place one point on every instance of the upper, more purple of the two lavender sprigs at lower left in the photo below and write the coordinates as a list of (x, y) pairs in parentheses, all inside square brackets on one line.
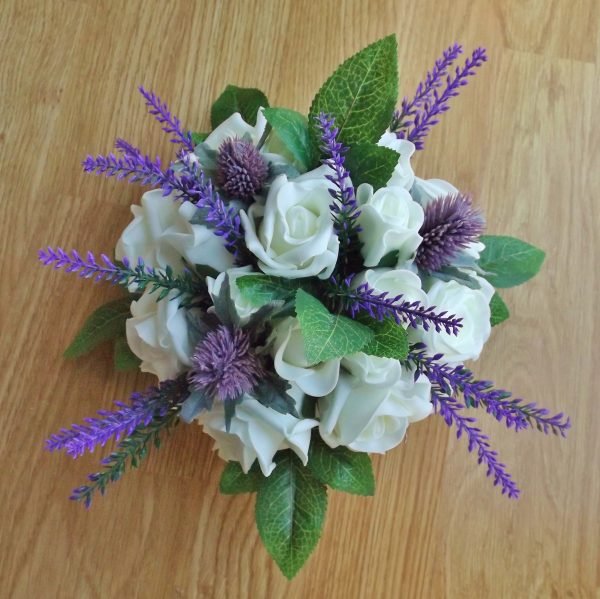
[(142, 409)]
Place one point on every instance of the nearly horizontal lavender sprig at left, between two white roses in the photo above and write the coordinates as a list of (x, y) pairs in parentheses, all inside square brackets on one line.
[(140, 275)]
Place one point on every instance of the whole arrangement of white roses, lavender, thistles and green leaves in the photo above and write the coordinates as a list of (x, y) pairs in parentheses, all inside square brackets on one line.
[(302, 295)]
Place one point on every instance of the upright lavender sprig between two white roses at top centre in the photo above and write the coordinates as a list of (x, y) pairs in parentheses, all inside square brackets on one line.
[(344, 208)]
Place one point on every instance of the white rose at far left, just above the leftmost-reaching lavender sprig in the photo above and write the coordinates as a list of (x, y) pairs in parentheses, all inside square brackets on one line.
[(161, 234)]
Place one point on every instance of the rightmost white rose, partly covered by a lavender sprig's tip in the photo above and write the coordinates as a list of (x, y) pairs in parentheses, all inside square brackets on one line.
[(473, 306)]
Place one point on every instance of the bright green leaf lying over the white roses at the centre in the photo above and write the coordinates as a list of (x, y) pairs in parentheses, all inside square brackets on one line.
[(327, 336)]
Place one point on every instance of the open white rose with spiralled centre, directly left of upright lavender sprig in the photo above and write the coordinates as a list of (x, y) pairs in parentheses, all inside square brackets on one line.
[(295, 238)]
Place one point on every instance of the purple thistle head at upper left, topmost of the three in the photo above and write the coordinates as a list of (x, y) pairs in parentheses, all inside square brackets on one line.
[(241, 170)]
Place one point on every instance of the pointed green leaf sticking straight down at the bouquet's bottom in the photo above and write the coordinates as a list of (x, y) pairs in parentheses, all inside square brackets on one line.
[(290, 512)]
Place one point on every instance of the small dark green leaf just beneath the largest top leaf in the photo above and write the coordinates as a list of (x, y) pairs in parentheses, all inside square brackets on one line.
[(370, 163)]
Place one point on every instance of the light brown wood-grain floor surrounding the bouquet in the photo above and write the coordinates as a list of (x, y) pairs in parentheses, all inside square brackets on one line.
[(523, 137)]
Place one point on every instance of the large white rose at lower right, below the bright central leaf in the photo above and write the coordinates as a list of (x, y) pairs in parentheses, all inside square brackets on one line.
[(373, 418)]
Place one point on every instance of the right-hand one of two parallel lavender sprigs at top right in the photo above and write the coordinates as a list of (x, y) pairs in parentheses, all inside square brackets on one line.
[(429, 114)]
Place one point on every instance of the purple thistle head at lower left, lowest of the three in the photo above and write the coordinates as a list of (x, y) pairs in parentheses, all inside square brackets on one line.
[(224, 365)]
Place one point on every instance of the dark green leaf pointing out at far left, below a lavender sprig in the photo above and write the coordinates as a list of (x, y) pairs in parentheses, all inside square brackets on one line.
[(106, 323)]
